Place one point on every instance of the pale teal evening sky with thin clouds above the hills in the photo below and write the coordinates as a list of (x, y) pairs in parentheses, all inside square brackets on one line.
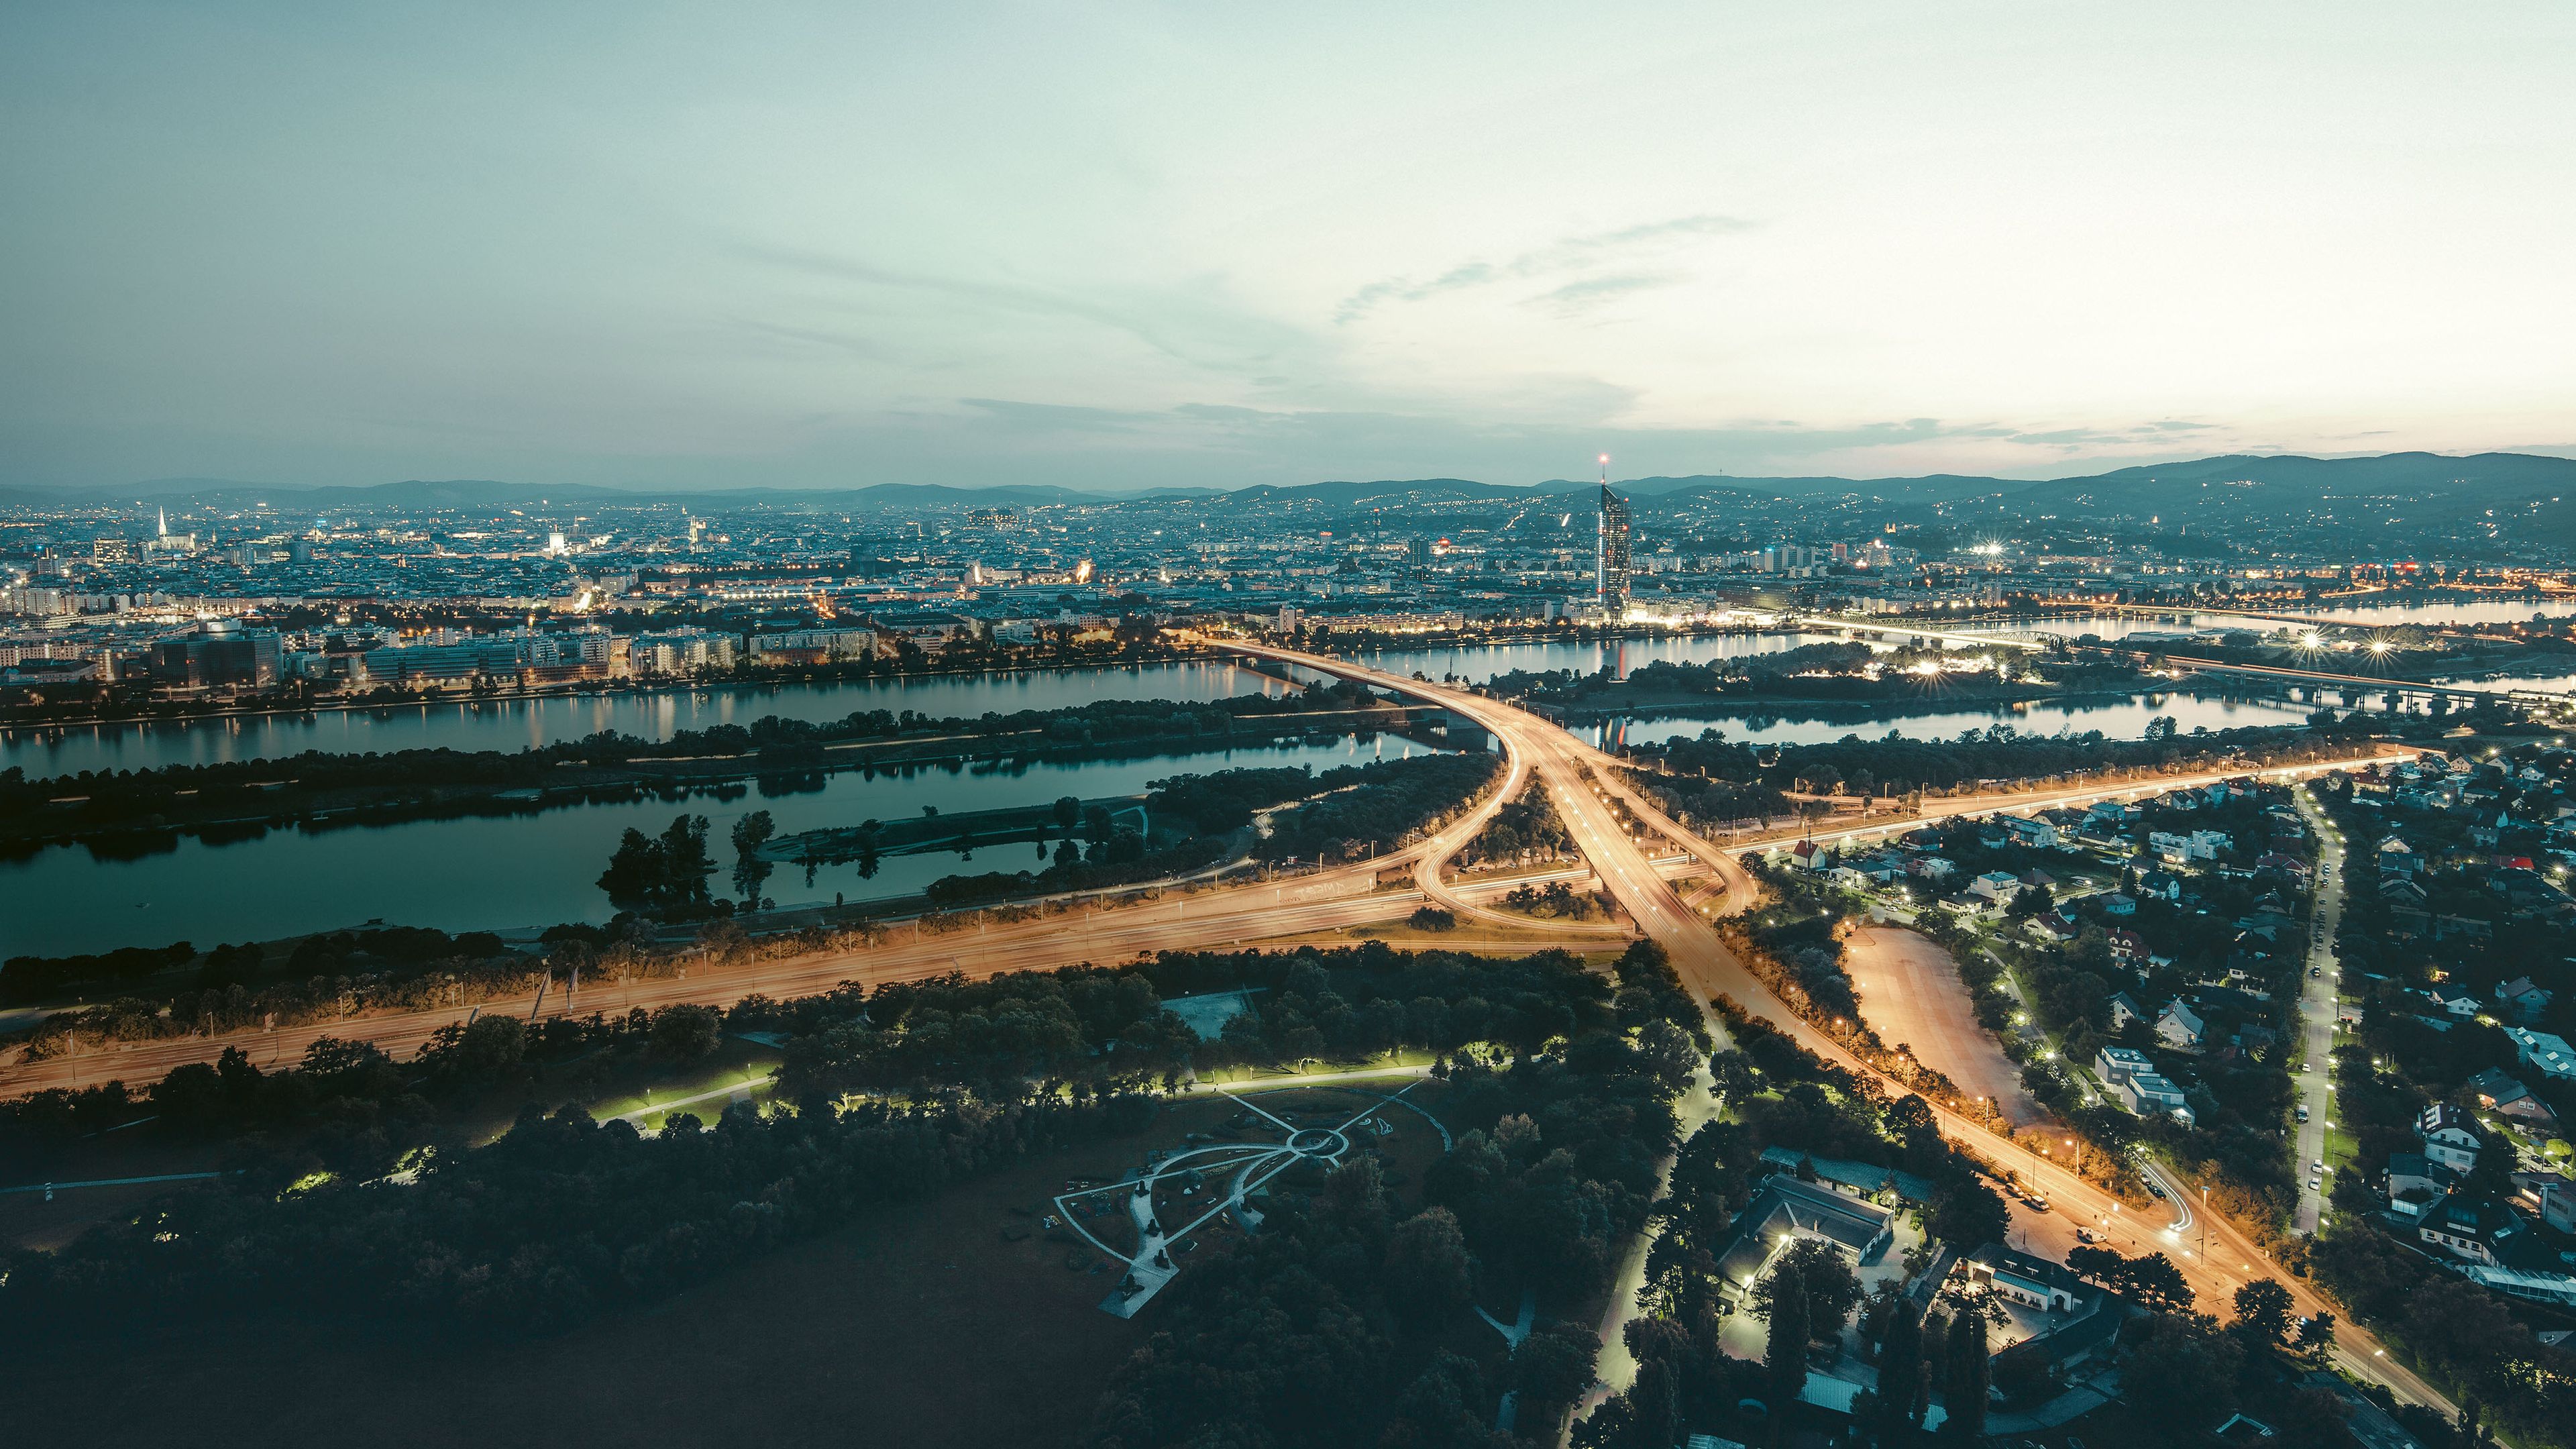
[(1130, 246)]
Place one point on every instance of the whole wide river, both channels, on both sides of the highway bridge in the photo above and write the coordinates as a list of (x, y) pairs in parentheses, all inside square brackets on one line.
[(537, 870)]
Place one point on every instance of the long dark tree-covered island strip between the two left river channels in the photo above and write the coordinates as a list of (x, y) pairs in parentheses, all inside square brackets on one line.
[(130, 813)]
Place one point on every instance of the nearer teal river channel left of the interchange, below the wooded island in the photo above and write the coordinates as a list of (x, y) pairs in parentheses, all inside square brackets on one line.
[(537, 870)]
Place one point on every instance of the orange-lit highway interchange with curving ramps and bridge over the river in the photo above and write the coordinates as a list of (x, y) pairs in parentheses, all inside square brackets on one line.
[(1583, 785)]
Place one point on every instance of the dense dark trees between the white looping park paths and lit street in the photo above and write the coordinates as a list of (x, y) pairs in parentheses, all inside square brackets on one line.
[(1349, 1319)]
